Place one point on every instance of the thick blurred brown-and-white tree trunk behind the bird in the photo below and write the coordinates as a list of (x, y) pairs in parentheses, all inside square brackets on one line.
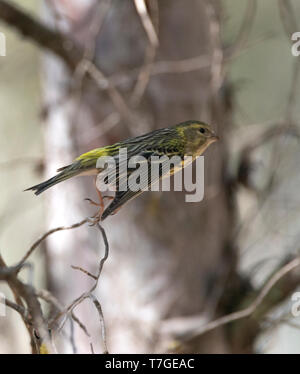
[(168, 258)]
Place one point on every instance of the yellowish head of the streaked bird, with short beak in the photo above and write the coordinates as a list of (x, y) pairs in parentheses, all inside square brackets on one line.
[(198, 136)]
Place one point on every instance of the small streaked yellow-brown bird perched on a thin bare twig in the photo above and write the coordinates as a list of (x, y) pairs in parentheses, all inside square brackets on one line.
[(190, 138)]
